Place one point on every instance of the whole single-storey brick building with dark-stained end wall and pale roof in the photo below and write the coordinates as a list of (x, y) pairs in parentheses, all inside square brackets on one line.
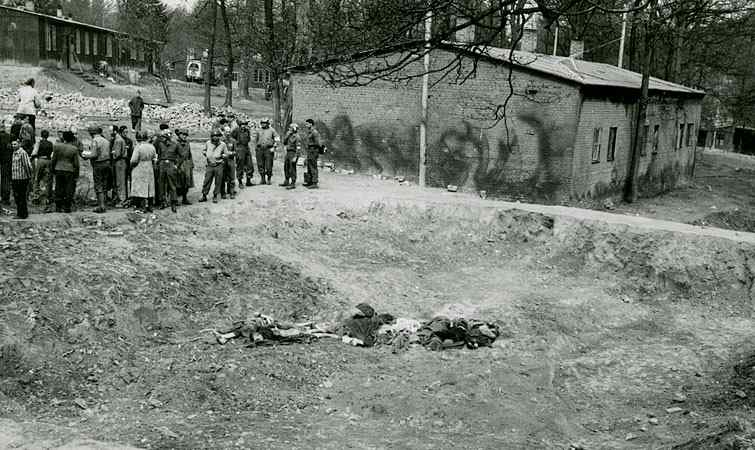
[(567, 131)]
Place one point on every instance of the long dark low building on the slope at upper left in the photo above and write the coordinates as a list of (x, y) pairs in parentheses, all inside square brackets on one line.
[(33, 38)]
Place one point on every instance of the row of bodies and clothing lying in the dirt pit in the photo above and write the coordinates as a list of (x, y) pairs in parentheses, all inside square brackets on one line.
[(367, 328)]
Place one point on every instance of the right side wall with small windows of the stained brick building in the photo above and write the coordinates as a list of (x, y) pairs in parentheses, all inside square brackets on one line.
[(659, 171)]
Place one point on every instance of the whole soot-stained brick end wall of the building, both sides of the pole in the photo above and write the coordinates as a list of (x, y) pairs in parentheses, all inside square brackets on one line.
[(375, 128)]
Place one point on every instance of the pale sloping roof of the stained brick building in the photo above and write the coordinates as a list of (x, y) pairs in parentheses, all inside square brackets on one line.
[(585, 73)]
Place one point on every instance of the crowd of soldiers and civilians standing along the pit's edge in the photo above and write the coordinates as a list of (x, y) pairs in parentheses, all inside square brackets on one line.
[(140, 169)]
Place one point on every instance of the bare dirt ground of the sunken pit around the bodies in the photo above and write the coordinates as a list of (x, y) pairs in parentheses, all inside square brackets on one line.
[(605, 327)]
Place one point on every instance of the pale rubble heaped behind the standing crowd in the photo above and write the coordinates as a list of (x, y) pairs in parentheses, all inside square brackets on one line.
[(66, 111)]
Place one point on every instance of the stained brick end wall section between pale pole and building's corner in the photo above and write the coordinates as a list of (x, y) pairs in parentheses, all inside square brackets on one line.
[(528, 154)]
